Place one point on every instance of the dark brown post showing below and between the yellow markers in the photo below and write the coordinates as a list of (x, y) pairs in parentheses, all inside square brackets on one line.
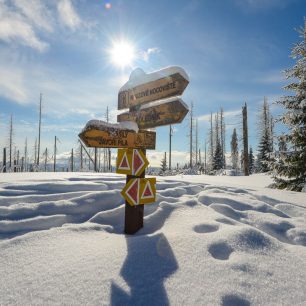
[(133, 220)]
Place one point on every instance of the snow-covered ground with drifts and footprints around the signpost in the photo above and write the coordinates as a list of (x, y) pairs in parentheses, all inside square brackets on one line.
[(208, 240)]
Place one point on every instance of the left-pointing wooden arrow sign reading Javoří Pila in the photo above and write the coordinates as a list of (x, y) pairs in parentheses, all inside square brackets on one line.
[(118, 138)]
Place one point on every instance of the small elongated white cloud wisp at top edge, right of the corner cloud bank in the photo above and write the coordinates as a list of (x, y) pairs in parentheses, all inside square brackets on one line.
[(68, 14)]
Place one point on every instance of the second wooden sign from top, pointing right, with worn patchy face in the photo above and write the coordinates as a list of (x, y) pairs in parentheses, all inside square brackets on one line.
[(158, 113)]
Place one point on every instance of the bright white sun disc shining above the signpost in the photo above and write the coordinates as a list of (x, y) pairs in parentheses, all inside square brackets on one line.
[(122, 54)]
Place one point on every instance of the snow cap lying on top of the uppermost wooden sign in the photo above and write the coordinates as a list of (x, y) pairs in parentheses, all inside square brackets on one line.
[(138, 76)]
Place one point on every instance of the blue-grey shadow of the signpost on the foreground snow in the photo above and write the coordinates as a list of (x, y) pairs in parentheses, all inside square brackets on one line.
[(149, 262)]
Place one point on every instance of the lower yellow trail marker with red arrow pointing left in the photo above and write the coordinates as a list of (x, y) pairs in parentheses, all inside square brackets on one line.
[(140, 191)]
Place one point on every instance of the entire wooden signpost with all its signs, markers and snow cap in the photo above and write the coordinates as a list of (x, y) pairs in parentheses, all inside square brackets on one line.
[(144, 95)]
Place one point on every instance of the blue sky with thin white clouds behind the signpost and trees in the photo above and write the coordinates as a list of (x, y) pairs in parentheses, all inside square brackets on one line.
[(234, 51)]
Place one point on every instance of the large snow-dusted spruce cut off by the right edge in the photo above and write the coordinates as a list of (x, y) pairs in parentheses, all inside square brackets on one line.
[(290, 166)]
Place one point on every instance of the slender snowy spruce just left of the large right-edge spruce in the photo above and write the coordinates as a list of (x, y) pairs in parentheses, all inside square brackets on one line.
[(265, 146)]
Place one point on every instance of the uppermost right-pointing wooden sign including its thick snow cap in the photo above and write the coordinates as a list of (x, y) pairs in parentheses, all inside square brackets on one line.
[(143, 88)]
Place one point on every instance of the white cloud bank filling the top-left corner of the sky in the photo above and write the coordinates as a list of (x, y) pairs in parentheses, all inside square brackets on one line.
[(23, 21)]
